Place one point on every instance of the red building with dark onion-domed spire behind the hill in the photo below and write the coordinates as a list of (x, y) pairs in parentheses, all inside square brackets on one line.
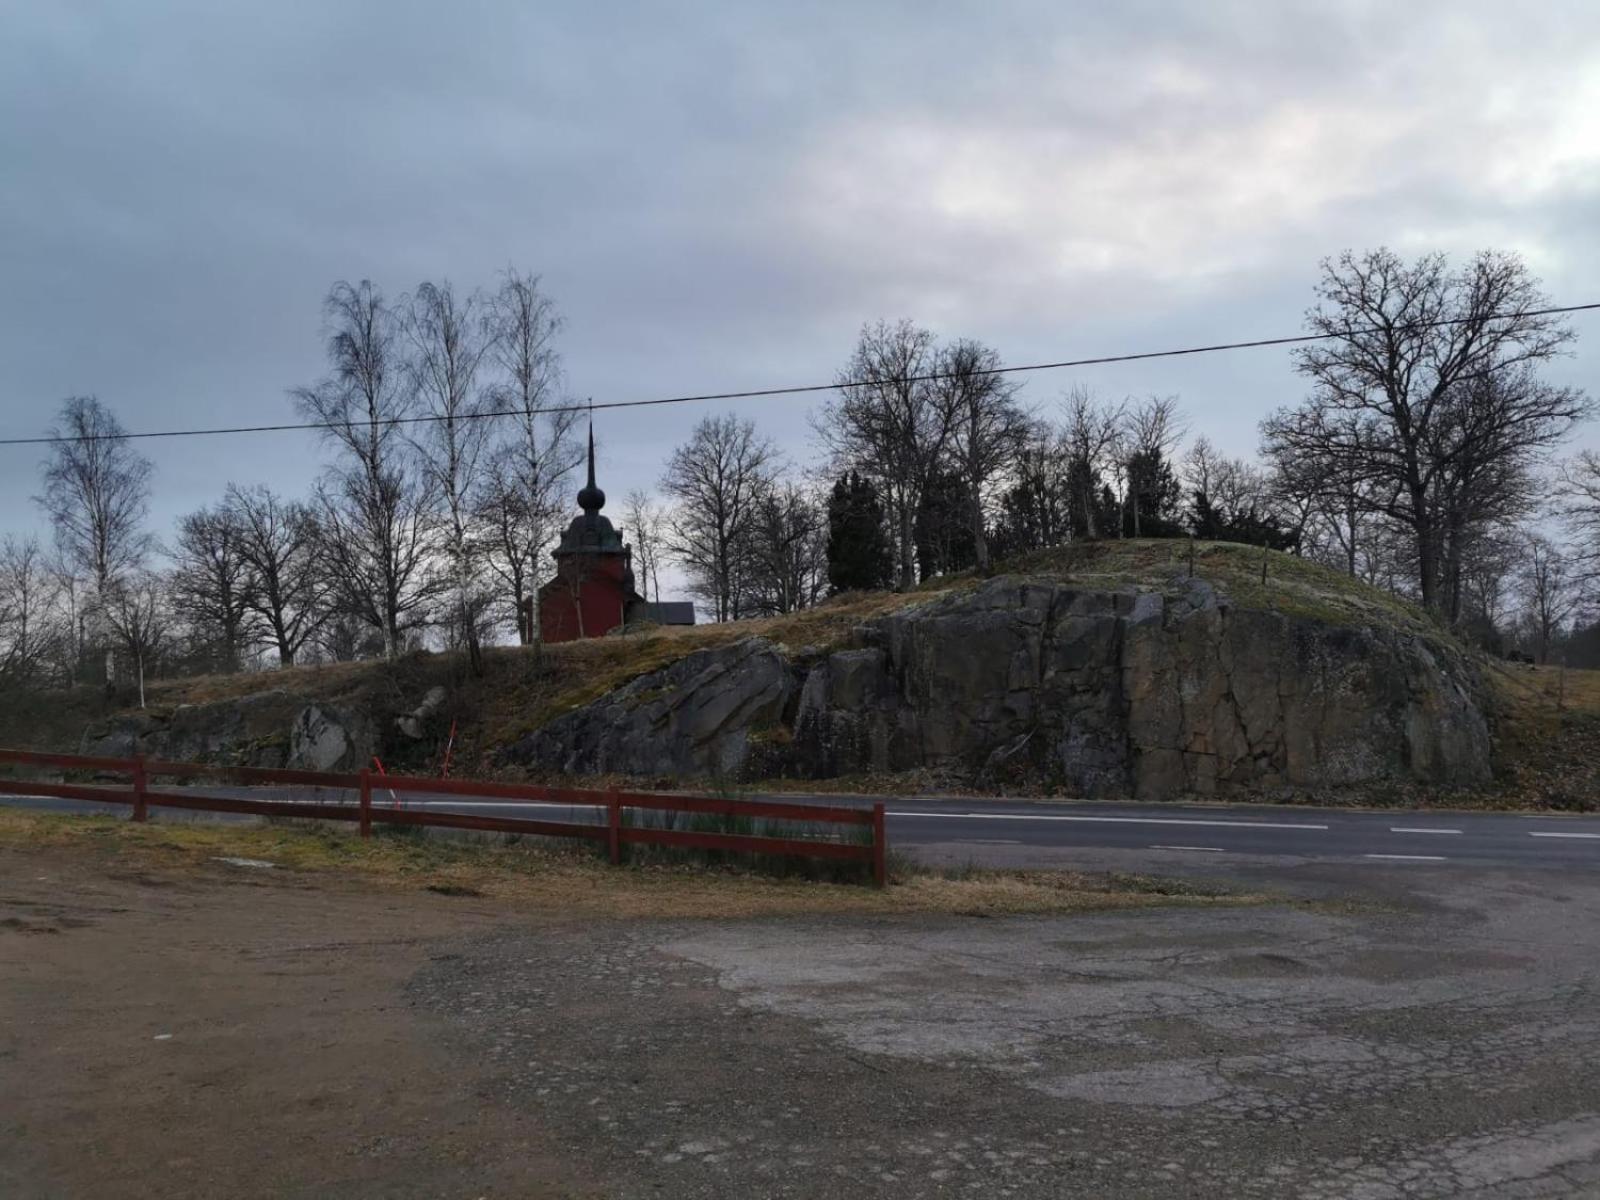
[(593, 591)]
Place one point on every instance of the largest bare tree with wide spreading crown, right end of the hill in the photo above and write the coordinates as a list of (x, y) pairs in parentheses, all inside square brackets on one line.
[(1394, 390)]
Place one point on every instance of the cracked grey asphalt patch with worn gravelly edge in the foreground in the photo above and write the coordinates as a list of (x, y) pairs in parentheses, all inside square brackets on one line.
[(1438, 1038)]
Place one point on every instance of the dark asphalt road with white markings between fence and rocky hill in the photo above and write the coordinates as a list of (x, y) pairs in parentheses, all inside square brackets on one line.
[(1023, 833)]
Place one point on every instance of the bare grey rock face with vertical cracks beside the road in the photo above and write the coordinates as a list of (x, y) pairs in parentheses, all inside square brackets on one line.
[(1095, 692)]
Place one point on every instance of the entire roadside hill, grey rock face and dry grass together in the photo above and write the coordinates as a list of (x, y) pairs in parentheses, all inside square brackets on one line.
[(1167, 673)]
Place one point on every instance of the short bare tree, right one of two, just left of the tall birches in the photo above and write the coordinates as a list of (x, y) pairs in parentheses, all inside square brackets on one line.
[(289, 590)]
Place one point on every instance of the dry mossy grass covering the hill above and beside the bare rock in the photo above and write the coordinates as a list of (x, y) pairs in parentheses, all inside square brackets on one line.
[(1548, 722)]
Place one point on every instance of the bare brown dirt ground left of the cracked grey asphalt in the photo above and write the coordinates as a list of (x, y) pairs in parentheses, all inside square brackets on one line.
[(238, 1034)]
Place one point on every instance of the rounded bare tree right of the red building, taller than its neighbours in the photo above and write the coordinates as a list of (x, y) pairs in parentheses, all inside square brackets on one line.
[(716, 481)]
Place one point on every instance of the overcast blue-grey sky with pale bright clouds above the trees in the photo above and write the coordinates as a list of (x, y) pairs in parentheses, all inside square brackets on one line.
[(719, 196)]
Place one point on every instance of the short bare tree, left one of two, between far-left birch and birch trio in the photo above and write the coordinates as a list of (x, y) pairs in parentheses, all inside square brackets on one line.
[(214, 583)]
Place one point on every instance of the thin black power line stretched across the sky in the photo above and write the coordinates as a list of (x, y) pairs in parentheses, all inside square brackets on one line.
[(801, 390)]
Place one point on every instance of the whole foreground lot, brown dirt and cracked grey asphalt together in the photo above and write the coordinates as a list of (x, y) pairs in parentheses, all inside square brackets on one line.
[(230, 1031)]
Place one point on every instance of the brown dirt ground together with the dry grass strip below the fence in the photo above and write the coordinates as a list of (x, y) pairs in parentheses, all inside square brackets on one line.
[(174, 1025)]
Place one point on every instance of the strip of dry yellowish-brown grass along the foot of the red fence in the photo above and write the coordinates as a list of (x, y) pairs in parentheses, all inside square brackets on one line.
[(562, 882)]
